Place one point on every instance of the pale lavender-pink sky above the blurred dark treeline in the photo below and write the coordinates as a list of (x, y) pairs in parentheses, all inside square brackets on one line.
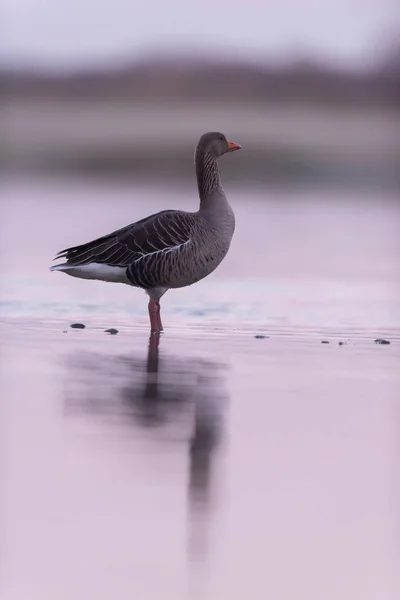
[(73, 32)]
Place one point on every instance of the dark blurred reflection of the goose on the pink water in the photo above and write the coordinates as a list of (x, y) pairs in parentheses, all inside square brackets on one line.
[(172, 398)]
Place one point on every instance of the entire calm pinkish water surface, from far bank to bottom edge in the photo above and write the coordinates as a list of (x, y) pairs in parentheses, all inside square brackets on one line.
[(213, 465)]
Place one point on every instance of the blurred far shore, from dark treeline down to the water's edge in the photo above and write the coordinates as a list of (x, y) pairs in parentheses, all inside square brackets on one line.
[(297, 124)]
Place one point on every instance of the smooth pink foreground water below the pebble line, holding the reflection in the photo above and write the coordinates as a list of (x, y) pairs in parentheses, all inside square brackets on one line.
[(215, 466)]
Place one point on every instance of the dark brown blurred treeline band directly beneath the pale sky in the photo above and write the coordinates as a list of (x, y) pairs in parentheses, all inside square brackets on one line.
[(177, 79)]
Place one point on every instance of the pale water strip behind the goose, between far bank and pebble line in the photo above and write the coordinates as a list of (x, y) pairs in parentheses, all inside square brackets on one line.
[(297, 259)]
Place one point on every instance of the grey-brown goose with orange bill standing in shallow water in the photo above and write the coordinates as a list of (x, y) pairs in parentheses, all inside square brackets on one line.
[(170, 249)]
